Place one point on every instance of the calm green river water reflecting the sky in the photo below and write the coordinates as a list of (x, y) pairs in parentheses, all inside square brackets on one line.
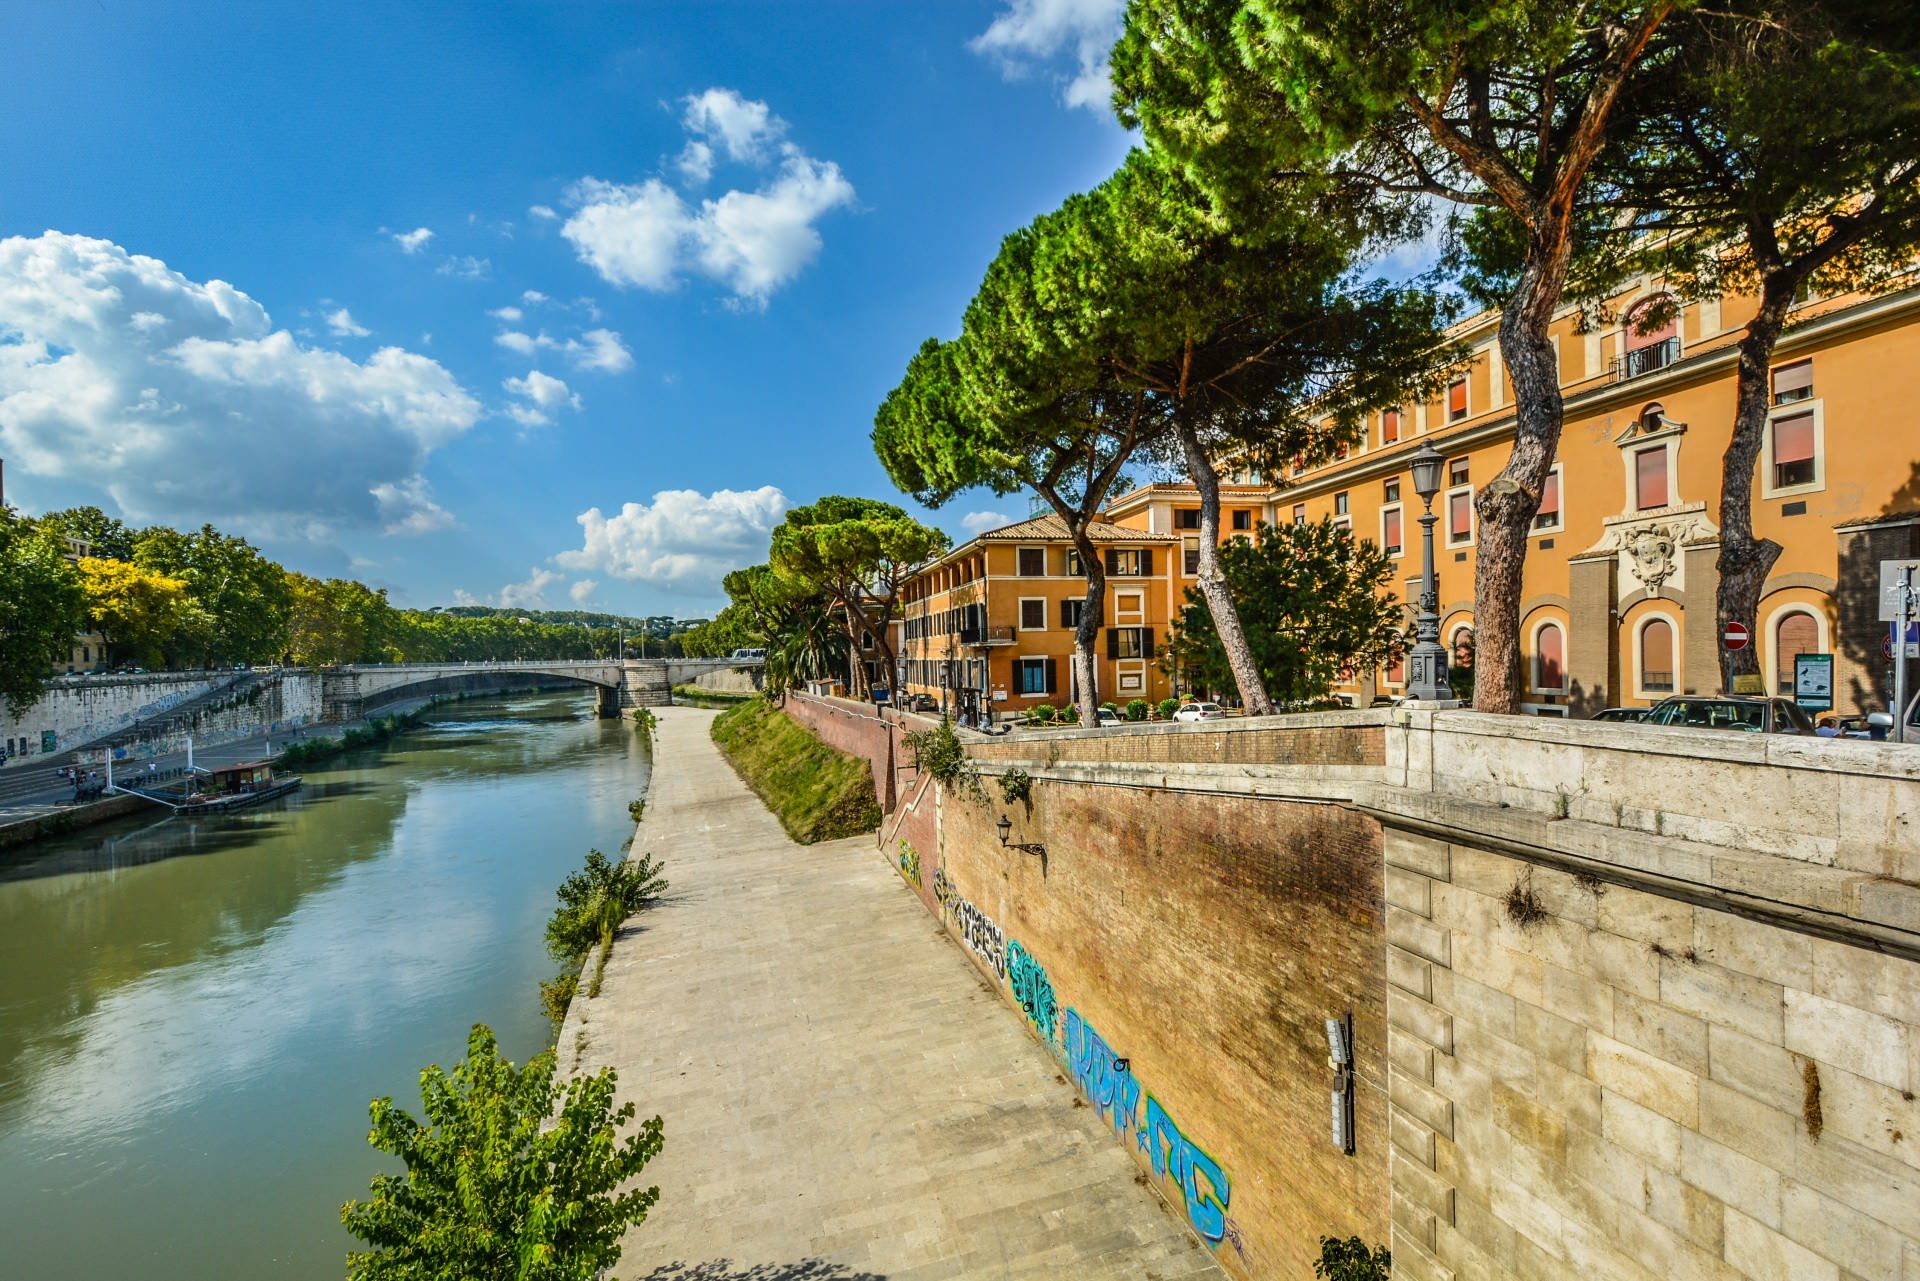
[(197, 1013)]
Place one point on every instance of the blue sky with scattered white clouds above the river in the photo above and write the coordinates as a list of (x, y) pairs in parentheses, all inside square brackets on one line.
[(521, 304)]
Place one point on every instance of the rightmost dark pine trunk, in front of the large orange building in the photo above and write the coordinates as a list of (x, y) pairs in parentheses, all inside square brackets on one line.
[(1746, 560)]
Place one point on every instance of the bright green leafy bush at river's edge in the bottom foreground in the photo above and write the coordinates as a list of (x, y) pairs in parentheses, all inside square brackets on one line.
[(510, 1180)]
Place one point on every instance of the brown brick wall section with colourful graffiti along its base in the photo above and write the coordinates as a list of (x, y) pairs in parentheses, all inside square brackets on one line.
[(1180, 957)]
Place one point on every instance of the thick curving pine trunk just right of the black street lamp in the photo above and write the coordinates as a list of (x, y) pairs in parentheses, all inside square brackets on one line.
[(1506, 508)]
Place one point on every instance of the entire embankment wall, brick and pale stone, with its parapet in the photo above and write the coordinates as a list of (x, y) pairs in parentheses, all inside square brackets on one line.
[(1627, 1003)]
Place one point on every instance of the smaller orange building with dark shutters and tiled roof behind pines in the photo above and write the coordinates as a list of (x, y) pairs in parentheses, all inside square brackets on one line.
[(992, 623)]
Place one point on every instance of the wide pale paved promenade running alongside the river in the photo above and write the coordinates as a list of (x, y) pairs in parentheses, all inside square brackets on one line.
[(844, 1096)]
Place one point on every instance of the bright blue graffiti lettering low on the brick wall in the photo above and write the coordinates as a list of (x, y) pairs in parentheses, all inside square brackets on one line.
[(1111, 1086)]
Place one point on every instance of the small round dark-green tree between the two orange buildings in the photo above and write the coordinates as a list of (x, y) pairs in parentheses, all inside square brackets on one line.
[(1314, 604)]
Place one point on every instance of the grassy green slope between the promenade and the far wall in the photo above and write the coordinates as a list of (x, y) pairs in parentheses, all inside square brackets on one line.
[(819, 794)]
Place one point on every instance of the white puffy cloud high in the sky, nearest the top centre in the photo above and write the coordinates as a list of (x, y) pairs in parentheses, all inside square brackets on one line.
[(752, 241)]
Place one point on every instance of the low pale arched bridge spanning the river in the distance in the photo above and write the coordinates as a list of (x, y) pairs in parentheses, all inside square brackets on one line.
[(354, 690)]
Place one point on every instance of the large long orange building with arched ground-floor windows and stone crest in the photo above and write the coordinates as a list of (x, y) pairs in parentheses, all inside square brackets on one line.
[(1620, 591)]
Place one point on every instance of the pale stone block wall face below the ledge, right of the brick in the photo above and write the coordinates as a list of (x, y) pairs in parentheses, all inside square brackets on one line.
[(1595, 1080)]
